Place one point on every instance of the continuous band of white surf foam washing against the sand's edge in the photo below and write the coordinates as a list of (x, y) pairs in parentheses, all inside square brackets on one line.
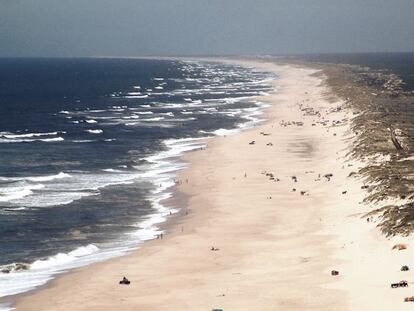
[(161, 173)]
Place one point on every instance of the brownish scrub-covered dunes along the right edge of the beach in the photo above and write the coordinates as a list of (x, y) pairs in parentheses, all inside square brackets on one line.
[(381, 109)]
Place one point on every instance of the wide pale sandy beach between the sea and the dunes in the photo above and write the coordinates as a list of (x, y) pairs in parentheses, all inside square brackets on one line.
[(276, 246)]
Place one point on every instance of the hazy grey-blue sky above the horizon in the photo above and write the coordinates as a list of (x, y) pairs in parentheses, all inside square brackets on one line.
[(179, 27)]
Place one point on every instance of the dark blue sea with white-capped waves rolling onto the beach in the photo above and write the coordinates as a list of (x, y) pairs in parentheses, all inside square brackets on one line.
[(87, 150)]
